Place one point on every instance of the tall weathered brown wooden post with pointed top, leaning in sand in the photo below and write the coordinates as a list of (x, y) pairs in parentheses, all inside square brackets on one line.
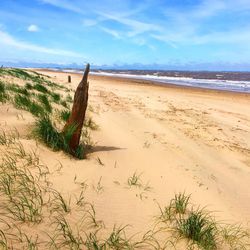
[(77, 115)]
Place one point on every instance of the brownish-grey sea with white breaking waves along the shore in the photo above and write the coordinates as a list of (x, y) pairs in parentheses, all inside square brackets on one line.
[(229, 81)]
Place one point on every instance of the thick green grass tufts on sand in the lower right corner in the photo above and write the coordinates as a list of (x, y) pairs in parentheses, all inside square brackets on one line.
[(199, 228)]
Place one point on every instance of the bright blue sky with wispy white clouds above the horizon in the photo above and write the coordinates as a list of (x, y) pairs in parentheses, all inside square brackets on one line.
[(166, 32)]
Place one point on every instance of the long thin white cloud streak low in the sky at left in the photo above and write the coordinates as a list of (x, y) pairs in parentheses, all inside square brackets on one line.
[(10, 41)]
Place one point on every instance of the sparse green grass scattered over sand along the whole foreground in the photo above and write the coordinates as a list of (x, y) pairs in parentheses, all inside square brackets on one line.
[(27, 198)]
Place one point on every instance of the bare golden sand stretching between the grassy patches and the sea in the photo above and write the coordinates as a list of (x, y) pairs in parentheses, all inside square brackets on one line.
[(178, 139)]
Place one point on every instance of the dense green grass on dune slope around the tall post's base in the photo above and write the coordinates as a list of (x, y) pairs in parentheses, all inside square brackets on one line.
[(37, 97)]
